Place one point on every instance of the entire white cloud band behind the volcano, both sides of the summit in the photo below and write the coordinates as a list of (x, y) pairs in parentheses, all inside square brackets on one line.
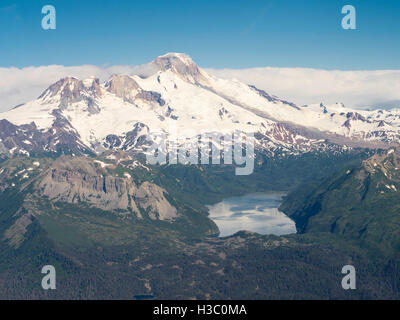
[(302, 86)]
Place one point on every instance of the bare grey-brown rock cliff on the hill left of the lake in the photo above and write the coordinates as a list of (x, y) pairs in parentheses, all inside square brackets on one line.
[(76, 180)]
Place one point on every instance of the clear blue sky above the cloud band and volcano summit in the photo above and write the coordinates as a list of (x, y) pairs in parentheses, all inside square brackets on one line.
[(216, 34)]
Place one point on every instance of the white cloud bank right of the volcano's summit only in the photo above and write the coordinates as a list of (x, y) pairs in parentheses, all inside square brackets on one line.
[(359, 89)]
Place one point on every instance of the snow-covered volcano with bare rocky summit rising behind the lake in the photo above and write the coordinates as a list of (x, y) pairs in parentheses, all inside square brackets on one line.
[(180, 98)]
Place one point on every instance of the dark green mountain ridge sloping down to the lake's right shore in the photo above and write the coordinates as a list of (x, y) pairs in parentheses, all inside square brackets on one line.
[(358, 204)]
